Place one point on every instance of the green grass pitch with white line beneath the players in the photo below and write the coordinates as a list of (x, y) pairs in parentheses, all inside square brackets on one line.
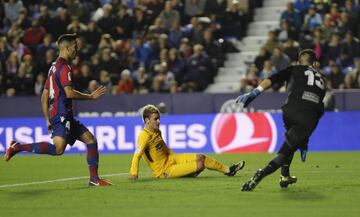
[(328, 185)]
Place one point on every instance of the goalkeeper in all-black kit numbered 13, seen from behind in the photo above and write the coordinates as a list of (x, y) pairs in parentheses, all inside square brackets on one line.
[(301, 113)]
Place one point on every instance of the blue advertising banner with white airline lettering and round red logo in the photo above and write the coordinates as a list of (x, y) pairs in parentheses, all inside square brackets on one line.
[(211, 133)]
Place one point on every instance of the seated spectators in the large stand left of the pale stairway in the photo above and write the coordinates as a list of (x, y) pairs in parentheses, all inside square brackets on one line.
[(129, 46)]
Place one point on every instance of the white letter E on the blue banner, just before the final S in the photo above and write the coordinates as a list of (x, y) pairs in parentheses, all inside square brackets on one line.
[(177, 136)]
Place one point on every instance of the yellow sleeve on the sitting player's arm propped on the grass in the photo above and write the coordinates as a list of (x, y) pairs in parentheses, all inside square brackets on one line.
[(140, 148)]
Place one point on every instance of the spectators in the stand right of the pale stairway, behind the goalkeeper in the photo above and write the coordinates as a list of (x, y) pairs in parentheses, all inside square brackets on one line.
[(330, 27)]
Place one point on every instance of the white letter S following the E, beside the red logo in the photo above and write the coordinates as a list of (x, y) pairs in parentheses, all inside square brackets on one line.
[(197, 138)]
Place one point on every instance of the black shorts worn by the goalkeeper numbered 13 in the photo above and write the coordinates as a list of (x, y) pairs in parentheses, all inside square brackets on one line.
[(299, 124)]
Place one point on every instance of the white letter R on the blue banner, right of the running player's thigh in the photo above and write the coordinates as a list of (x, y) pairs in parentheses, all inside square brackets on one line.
[(106, 137)]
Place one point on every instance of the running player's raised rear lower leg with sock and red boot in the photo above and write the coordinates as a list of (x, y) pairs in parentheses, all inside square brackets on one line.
[(38, 147)]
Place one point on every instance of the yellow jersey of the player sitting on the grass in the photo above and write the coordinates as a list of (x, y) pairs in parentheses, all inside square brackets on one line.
[(154, 151)]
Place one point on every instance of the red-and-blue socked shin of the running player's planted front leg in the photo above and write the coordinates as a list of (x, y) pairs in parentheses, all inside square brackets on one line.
[(93, 161)]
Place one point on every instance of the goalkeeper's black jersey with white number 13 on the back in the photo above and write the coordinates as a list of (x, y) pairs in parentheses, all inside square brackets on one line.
[(305, 86)]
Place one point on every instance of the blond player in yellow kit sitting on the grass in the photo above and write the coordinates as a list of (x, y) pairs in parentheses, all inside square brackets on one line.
[(162, 161)]
